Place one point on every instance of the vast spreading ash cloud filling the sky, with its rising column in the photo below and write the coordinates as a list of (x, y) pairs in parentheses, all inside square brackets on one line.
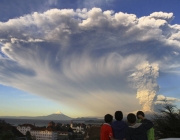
[(82, 59)]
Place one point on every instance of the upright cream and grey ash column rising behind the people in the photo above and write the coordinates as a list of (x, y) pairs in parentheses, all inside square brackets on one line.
[(145, 82)]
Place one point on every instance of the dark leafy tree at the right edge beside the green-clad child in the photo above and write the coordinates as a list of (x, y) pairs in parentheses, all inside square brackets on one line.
[(167, 122)]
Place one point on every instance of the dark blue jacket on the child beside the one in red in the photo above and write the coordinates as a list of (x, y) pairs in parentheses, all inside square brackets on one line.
[(119, 128)]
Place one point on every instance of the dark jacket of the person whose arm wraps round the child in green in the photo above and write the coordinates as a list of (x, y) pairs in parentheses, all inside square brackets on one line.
[(139, 130)]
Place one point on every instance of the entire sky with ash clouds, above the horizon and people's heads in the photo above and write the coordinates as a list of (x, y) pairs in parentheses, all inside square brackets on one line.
[(88, 58)]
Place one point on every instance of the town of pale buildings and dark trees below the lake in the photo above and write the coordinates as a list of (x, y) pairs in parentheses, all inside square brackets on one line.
[(52, 131)]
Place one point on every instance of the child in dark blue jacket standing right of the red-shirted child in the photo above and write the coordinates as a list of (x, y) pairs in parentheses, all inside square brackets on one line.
[(119, 126)]
